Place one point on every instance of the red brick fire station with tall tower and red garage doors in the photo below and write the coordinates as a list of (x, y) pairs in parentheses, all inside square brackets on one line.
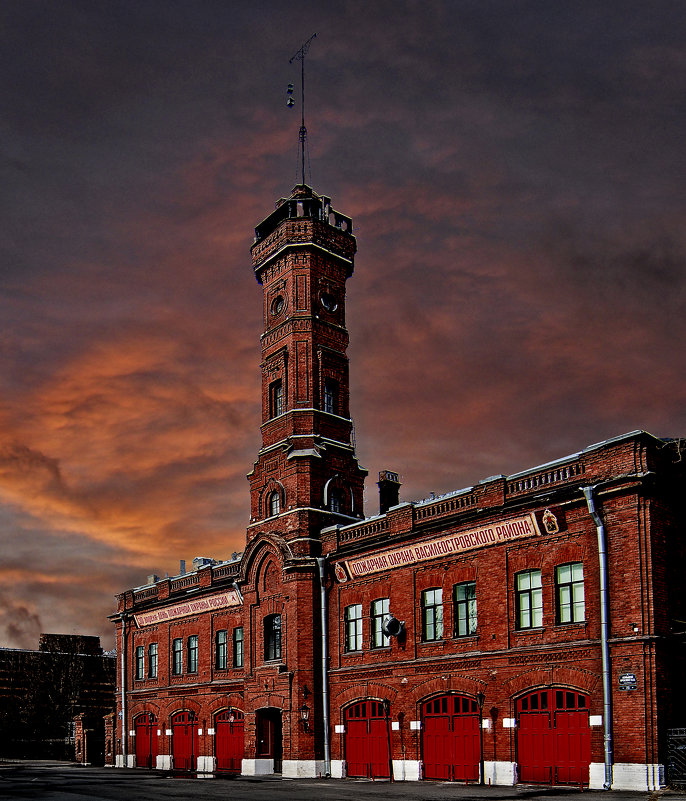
[(522, 629)]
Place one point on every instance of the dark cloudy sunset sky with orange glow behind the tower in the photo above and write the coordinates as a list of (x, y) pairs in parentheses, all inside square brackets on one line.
[(515, 171)]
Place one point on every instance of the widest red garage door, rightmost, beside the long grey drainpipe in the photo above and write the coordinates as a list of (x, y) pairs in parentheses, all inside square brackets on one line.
[(553, 737)]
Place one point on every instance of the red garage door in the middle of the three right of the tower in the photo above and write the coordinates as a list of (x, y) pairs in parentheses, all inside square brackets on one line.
[(451, 743)]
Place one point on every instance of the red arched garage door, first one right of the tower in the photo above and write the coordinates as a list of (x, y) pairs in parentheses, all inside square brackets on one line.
[(366, 740)]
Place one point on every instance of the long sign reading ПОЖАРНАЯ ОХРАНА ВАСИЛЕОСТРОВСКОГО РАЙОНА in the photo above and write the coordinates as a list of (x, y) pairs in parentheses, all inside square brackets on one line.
[(446, 546)]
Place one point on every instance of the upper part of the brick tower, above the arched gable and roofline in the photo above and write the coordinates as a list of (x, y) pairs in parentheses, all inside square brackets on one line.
[(306, 475)]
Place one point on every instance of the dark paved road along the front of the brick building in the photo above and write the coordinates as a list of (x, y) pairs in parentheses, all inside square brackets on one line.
[(60, 781)]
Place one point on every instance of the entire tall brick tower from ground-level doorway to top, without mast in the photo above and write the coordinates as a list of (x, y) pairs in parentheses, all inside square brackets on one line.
[(306, 478)]
